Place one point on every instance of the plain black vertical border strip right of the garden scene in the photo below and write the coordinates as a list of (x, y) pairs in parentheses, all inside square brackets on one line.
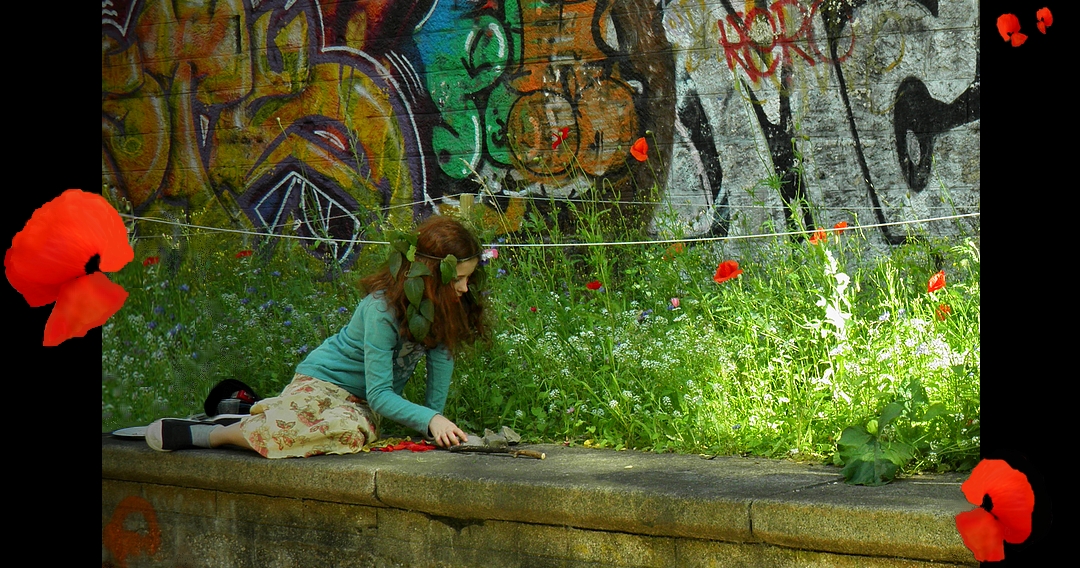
[(1027, 147)]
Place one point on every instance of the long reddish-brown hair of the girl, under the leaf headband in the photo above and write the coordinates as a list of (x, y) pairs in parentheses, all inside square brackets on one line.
[(458, 321)]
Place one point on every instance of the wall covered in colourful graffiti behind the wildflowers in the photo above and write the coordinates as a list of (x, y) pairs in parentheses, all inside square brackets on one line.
[(317, 117)]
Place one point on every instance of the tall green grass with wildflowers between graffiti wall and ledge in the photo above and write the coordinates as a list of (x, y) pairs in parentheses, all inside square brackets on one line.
[(757, 366)]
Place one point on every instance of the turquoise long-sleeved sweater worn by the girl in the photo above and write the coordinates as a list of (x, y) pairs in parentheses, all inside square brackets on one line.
[(371, 360)]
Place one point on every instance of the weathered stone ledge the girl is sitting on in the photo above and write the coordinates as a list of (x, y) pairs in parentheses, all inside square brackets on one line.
[(589, 498)]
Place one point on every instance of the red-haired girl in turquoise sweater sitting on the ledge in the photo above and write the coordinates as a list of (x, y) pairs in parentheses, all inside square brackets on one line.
[(355, 378)]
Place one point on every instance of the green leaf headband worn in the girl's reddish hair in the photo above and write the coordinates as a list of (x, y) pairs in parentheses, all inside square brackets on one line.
[(421, 313)]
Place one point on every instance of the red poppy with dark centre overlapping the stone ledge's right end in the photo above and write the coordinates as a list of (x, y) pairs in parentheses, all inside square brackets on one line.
[(1005, 503)]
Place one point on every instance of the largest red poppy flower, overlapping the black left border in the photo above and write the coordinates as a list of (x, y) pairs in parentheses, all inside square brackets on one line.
[(60, 258)]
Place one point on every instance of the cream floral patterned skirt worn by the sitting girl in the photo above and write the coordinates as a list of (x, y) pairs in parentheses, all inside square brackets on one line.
[(309, 418)]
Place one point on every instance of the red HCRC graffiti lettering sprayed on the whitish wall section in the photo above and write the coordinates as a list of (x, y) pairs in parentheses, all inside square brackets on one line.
[(767, 38)]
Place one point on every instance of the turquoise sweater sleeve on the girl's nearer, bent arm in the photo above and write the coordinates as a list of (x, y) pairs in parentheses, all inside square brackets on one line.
[(381, 337)]
